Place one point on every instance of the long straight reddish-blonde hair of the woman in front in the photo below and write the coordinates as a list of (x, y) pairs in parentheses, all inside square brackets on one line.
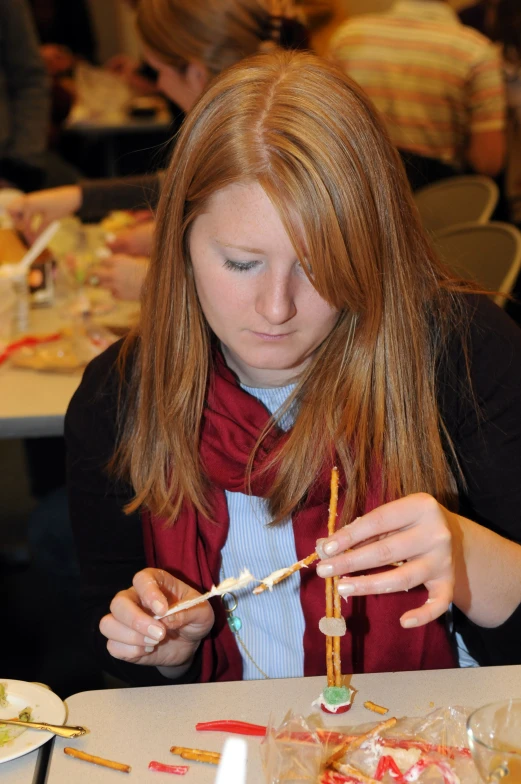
[(307, 134)]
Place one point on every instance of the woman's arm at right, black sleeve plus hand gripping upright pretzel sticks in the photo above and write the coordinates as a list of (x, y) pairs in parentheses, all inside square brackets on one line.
[(472, 558)]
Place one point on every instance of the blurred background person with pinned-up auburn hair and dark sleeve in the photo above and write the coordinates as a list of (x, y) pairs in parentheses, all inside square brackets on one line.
[(186, 57)]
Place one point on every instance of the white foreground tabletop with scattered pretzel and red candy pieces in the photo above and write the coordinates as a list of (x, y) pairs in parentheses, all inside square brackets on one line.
[(136, 726)]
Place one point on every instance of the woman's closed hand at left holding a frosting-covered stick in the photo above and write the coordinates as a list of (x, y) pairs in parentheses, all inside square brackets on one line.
[(133, 634)]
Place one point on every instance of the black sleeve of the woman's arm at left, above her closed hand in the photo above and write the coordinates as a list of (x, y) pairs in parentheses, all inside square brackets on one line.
[(109, 542)]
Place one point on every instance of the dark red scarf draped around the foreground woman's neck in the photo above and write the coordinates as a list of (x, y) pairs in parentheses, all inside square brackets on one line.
[(191, 550)]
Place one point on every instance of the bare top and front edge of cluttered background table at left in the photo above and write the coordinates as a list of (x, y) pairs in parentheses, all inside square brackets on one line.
[(33, 404)]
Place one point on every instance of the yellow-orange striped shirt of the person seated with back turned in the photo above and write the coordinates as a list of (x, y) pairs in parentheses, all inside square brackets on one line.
[(435, 81)]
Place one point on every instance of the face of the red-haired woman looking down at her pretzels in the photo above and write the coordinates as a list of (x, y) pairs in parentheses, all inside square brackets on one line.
[(254, 293)]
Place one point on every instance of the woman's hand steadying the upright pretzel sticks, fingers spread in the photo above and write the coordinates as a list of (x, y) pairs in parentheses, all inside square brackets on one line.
[(416, 530)]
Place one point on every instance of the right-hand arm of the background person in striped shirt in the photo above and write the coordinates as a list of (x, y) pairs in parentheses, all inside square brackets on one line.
[(486, 147)]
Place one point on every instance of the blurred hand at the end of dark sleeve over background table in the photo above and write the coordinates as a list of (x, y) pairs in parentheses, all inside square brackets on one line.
[(33, 212)]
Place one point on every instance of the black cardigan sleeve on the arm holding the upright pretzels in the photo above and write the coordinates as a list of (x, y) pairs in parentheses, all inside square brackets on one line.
[(485, 428)]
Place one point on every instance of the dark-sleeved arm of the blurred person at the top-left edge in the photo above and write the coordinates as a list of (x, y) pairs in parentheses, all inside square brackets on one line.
[(26, 81)]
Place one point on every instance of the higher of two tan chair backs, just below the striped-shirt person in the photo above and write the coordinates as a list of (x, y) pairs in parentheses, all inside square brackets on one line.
[(457, 200)]
